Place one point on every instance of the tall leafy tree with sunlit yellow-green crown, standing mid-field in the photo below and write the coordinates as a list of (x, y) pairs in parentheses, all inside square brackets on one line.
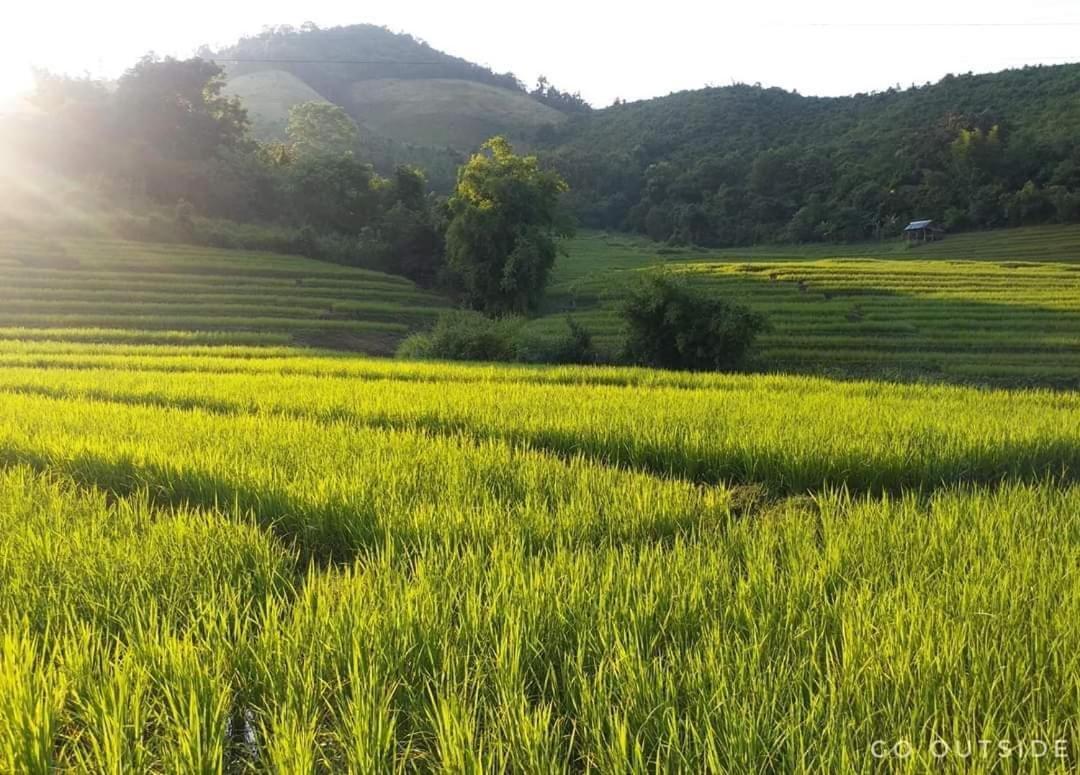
[(505, 229)]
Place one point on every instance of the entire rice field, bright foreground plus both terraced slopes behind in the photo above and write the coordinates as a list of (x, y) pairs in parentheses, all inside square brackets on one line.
[(224, 553)]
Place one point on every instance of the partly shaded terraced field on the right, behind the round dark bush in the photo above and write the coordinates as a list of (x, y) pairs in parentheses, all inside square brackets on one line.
[(998, 308)]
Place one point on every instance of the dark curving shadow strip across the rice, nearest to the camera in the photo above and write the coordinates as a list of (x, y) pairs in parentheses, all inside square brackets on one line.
[(333, 533)]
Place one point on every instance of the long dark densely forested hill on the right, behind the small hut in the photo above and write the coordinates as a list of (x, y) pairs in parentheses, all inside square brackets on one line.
[(742, 165)]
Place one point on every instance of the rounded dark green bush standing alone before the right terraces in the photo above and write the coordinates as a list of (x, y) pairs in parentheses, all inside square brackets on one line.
[(672, 325)]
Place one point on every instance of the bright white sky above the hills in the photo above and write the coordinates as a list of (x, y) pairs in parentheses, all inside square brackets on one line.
[(605, 50)]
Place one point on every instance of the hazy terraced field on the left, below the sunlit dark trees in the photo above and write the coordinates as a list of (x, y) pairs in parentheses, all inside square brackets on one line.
[(115, 291)]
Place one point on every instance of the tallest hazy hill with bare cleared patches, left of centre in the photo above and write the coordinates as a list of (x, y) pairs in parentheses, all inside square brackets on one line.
[(394, 85)]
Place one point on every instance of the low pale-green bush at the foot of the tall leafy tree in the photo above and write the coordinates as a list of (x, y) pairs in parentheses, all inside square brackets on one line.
[(465, 336)]
